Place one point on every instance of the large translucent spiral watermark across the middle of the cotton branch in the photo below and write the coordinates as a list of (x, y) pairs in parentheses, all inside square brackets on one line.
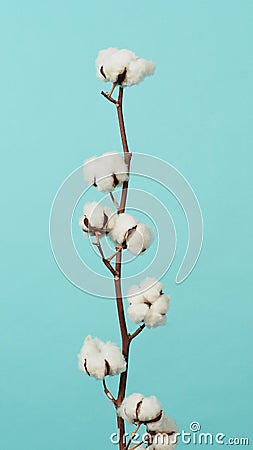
[(148, 169)]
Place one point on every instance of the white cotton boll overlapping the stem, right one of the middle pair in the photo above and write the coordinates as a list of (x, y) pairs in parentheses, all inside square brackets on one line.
[(134, 236)]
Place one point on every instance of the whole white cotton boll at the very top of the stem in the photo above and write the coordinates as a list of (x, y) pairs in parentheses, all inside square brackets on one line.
[(122, 67)]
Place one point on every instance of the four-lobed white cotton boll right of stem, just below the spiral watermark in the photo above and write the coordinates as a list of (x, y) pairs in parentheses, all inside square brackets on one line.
[(148, 304)]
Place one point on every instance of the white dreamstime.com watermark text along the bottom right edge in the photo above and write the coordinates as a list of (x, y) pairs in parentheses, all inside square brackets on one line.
[(194, 435)]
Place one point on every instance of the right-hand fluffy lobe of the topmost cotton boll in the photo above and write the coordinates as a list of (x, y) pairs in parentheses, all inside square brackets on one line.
[(137, 70)]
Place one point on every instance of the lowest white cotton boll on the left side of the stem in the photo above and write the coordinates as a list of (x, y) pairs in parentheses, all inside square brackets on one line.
[(99, 359)]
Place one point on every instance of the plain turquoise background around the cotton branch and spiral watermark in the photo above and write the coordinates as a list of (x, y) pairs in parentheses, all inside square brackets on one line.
[(196, 113)]
